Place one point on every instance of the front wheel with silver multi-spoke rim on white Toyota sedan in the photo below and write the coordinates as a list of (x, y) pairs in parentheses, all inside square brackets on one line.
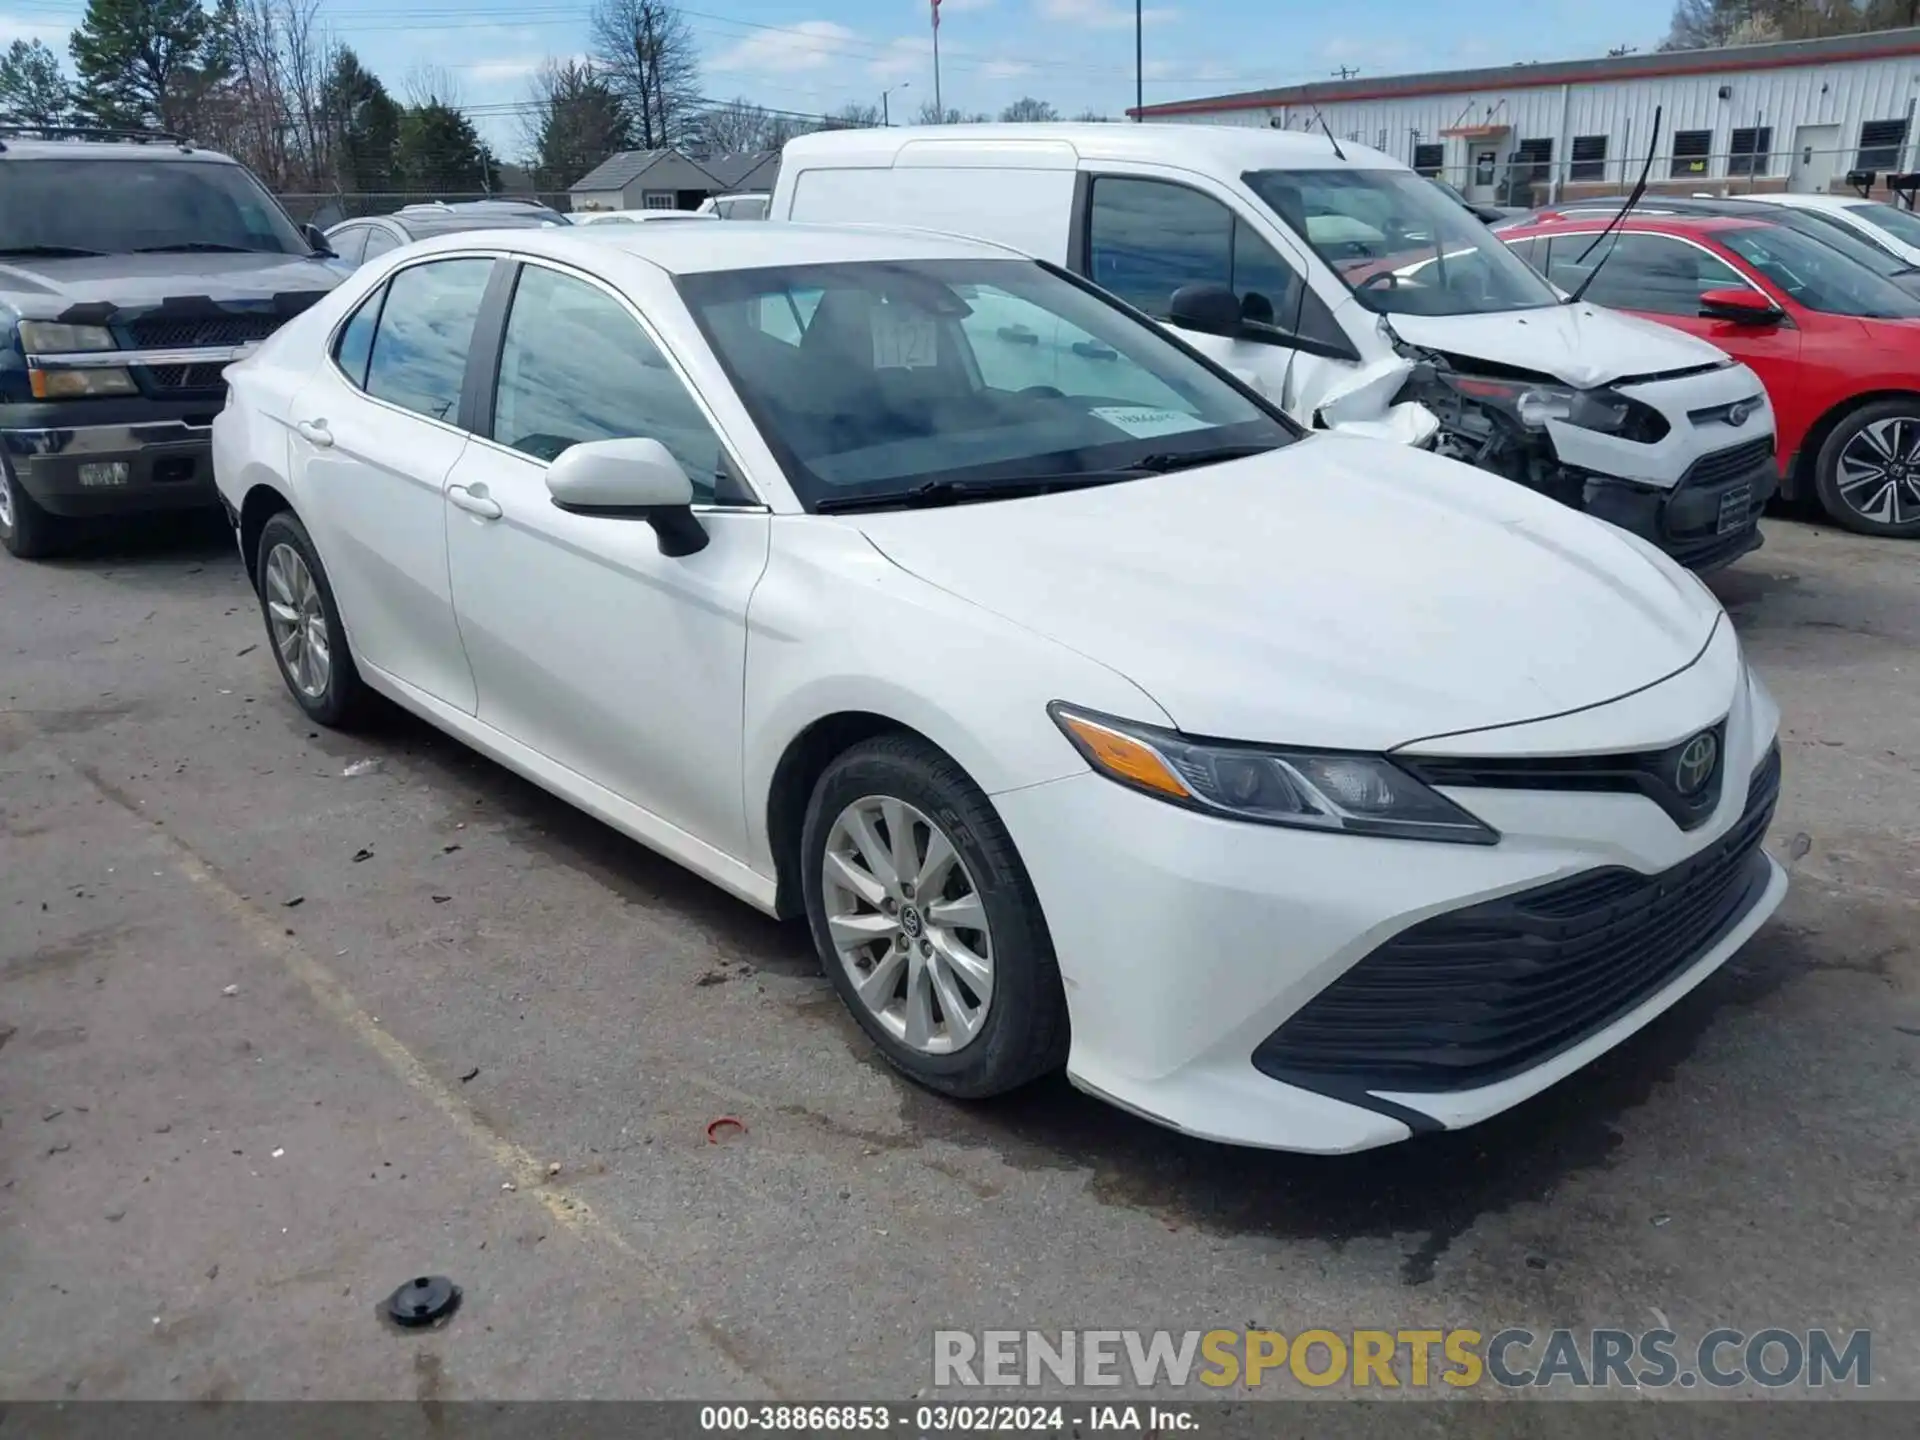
[(928, 924)]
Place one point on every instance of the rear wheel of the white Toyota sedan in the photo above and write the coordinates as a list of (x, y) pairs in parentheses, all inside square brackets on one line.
[(304, 625)]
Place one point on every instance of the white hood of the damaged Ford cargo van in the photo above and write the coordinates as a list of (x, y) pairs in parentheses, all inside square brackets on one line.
[(1579, 345)]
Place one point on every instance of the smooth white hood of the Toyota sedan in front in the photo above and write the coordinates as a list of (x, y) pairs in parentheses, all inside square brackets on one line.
[(1339, 592)]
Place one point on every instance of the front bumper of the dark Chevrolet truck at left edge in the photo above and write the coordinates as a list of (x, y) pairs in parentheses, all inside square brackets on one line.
[(166, 450)]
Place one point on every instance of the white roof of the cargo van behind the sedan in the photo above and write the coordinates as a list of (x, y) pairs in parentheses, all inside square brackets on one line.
[(1044, 147)]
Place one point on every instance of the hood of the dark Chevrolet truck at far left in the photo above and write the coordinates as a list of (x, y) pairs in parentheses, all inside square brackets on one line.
[(47, 287)]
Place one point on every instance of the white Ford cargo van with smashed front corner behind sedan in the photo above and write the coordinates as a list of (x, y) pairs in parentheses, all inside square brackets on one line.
[(1345, 287)]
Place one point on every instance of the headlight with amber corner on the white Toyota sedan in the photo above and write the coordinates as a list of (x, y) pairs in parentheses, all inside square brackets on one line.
[(1310, 790)]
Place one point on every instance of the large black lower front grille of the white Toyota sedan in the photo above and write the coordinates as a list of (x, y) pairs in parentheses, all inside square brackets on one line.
[(1477, 996)]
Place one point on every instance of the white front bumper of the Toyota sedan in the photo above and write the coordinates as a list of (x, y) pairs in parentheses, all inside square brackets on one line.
[(1188, 942)]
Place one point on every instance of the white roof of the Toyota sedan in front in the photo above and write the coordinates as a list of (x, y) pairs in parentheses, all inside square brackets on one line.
[(734, 247)]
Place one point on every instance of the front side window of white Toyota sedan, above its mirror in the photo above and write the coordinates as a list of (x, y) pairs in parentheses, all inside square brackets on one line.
[(577, 366)]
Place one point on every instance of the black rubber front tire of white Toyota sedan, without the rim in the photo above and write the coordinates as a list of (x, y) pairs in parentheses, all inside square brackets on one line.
[(1026, 1030)]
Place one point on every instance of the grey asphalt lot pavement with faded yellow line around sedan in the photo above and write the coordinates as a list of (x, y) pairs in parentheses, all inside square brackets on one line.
[(291, 1017)]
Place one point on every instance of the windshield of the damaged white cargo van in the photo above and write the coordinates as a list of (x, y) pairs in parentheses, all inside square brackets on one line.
[(1401, 245)]
